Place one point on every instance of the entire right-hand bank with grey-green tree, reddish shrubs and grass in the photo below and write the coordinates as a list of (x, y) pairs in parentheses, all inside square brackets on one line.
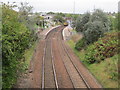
[(99, 48)]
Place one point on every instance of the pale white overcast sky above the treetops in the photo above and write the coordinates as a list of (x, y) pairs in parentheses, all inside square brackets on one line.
[(66, 6)]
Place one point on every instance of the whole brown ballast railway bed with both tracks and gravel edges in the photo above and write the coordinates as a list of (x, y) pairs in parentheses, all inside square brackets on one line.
[(56, 66)]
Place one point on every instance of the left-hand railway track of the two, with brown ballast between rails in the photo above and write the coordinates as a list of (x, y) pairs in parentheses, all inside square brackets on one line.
[(49, 79)]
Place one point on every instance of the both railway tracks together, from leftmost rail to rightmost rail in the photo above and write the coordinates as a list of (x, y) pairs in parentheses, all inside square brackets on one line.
[(52, 76)]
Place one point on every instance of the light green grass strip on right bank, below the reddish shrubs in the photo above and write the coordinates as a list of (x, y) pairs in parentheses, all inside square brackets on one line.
[(106, 72)]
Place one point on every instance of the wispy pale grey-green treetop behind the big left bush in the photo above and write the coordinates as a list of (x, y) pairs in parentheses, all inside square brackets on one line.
[(25, 15)]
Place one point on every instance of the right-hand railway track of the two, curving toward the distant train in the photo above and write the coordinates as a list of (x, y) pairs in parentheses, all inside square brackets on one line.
[(75, 76)]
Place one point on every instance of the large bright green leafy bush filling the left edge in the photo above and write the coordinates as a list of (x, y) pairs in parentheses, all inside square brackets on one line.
[(15, 39)]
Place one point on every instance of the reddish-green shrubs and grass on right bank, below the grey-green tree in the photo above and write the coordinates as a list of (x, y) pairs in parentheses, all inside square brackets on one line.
[(101, 60)]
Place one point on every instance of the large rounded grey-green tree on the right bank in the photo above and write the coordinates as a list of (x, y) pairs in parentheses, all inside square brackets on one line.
[(97, 26)]
